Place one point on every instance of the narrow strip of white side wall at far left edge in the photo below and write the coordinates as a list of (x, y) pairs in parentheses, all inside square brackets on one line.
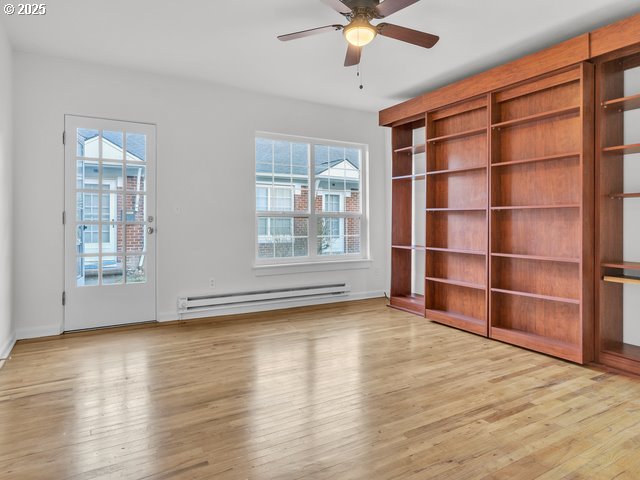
[(7, 337)]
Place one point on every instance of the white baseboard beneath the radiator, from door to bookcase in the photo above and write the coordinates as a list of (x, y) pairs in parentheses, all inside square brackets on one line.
[(266, 306)]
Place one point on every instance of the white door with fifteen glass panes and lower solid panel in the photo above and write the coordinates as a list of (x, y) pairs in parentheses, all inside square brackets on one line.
[(110, 236)]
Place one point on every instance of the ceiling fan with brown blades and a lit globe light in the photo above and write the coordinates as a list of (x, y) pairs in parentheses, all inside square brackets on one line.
[(359, 32)]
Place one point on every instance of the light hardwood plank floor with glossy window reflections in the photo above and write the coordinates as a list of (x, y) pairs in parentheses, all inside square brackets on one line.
[(347, 391)]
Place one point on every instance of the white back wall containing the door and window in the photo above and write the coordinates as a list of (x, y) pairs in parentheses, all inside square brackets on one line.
[(205, 159)]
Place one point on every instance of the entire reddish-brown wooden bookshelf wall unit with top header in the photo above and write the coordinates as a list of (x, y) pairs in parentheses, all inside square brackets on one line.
[(525, 210)]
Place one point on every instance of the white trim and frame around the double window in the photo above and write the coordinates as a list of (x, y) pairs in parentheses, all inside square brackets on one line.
[(313, 258)]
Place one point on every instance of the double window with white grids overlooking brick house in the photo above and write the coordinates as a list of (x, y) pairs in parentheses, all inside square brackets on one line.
[(309, 199)]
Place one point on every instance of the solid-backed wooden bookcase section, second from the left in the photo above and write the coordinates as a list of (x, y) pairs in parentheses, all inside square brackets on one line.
[(456, 269)]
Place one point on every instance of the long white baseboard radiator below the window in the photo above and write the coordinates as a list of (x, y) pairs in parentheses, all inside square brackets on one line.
[(257, 297)]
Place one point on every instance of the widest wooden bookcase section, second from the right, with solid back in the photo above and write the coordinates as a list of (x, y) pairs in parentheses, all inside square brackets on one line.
[(541, 215)]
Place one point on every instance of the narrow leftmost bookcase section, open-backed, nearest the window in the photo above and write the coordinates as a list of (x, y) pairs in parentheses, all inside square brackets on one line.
[(408, 217)]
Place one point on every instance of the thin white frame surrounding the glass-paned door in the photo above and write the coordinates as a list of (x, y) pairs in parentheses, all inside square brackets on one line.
[(66, 215)]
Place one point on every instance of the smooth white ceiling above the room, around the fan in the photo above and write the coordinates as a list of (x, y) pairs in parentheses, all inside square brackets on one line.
[(234, 42)]
